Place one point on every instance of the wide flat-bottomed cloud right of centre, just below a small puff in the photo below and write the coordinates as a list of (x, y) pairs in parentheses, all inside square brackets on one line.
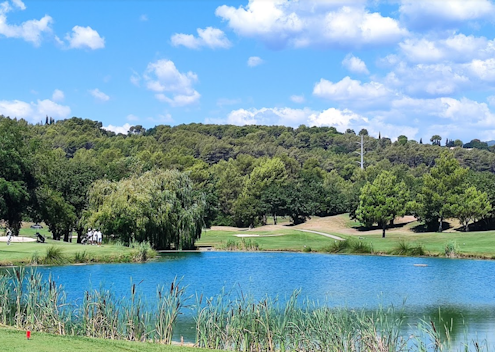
[(352, 90)]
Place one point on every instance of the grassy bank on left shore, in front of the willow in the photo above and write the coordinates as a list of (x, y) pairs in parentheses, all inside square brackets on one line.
[(59, 252)]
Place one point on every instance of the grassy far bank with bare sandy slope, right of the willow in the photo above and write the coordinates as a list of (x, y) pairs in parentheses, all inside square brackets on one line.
[(400, 240)]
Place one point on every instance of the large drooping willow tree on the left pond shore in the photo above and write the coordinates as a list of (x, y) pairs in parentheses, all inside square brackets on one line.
[(159, 206)]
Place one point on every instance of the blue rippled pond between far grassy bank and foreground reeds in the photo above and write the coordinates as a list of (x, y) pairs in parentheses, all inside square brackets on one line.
[(462, 290)]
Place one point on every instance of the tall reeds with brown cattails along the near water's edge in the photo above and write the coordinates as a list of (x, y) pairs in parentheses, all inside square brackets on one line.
[(28, 301)]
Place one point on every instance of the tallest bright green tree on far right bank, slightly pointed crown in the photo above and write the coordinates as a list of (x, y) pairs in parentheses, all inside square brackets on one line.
[(441, 191)]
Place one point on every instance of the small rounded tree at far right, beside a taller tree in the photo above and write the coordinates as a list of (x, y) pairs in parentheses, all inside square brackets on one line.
[(473, 206)]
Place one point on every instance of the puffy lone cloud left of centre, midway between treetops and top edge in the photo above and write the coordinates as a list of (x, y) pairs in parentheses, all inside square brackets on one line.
[(163, 77)]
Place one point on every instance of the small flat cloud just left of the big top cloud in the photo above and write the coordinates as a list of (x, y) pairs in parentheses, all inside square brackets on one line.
[(209, 37)]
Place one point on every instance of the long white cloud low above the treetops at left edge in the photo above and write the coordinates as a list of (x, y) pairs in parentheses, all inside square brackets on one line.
[(33, 111)]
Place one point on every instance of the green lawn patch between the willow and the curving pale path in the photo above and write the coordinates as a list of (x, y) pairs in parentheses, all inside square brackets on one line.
[(289, 240)]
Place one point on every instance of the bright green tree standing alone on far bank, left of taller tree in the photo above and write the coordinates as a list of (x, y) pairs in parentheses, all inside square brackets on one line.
[(382, 201)]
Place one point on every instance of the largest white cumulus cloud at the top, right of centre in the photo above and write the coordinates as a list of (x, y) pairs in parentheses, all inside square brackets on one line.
[(283, 23)]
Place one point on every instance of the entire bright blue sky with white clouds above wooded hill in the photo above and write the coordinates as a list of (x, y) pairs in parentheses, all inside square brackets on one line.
[(397, 67)]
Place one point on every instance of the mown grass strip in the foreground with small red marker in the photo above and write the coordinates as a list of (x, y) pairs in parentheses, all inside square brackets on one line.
[(15, 340)]
